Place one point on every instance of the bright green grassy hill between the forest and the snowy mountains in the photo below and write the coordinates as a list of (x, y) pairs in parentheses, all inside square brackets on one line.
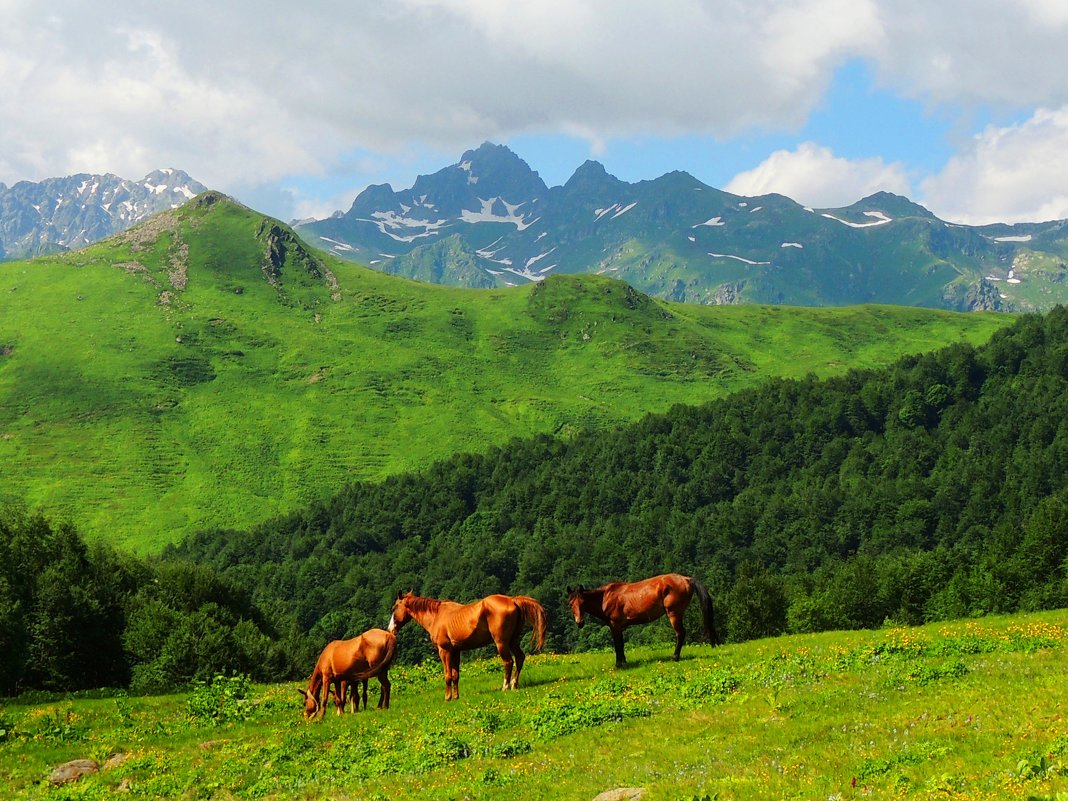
[(142, 420)]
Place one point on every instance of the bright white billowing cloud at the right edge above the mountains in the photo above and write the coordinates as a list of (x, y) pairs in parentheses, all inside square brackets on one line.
[(1017, 174)]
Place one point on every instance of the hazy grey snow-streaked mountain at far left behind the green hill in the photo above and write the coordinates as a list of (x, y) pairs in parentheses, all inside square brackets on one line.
[(66, 214)]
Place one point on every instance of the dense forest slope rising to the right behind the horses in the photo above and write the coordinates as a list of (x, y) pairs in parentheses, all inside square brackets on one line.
[(937, 489)]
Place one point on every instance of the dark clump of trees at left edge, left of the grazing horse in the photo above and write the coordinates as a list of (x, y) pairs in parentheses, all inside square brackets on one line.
[(75, 618)]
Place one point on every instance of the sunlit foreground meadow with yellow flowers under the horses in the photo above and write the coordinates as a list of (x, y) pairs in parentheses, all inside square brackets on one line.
[(965, 711)]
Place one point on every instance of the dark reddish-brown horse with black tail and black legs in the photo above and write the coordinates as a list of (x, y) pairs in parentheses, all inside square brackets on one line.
[(622, 605)]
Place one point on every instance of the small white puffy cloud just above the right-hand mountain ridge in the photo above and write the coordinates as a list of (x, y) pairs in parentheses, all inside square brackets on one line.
[(815, 177)]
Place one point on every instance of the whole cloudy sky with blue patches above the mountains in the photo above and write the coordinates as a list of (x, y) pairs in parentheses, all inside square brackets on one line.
[(295, 108)]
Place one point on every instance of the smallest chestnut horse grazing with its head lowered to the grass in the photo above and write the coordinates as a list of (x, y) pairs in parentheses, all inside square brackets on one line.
[(345, 663)]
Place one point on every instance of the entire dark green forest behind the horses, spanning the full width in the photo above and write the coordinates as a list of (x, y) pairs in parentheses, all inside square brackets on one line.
[(935, 490)]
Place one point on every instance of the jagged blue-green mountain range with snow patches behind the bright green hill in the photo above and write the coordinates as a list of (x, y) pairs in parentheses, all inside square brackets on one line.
[(490, 221)]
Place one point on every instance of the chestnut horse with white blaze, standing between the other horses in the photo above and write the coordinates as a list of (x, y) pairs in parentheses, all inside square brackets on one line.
[(458, 627)]
